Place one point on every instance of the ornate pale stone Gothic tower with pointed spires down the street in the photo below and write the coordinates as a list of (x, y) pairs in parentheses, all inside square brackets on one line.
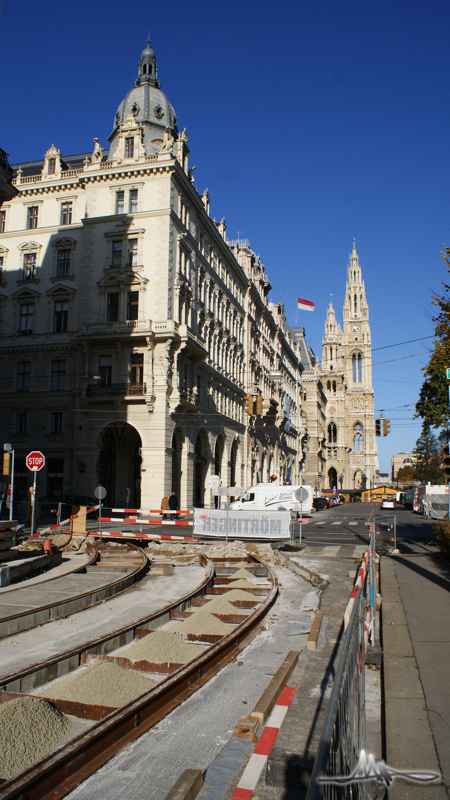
[(347, 379)]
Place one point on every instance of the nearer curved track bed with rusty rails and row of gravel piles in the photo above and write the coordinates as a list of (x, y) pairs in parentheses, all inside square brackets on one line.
[(92, 701)]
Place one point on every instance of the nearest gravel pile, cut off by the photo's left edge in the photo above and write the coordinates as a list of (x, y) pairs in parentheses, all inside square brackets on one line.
[(29, 729)]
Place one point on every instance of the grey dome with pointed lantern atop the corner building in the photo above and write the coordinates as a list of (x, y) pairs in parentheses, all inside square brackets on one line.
[(147, 105)]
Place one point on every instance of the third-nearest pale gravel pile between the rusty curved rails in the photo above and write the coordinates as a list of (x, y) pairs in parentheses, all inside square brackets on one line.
[(163, 647)]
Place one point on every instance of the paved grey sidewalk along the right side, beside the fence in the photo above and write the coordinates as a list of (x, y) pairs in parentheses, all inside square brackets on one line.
[(415, 590)]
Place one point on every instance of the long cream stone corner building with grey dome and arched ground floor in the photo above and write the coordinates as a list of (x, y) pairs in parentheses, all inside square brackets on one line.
[(131, 330)]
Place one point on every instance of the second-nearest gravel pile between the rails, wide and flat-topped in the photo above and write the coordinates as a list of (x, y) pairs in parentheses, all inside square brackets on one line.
[(102, 684)]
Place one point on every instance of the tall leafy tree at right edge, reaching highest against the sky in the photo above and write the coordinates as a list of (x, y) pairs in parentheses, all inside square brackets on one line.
[(433, 404)]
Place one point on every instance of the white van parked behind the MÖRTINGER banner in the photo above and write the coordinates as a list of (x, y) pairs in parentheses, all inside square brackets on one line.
[(270, 497)]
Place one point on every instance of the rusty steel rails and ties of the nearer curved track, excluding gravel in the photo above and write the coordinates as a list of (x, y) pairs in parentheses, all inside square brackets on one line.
[(58, 773)]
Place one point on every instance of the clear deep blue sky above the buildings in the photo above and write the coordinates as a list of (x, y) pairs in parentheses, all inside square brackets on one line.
[(309, 121)]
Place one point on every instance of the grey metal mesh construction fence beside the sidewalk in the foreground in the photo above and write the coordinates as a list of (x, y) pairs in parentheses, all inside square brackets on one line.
[(343, 734)]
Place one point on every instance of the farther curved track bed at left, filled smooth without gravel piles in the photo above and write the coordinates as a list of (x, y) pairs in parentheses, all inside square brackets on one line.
[(111, 569)]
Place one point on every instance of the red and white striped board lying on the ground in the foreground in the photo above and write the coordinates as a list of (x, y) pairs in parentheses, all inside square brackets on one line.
[(258, 759)]
